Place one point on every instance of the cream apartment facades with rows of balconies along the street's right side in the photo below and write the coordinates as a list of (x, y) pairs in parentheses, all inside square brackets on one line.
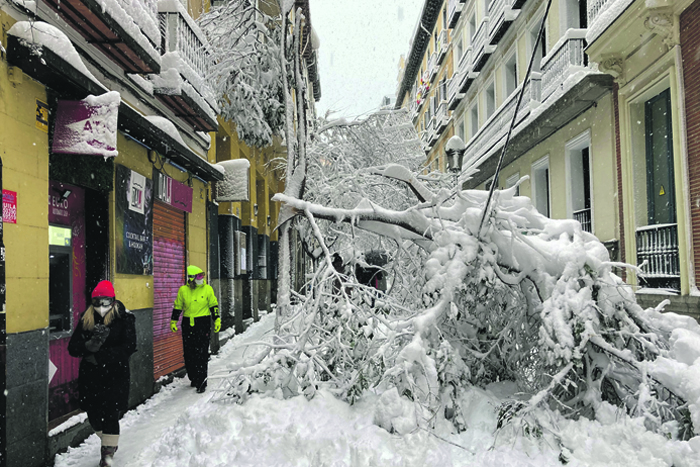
[(568, 129)]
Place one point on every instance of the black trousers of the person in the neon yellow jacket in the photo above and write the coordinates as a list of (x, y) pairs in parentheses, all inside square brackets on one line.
[(195, 343)]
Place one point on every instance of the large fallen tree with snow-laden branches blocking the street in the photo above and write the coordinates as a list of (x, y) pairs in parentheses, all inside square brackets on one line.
[(409, 301)]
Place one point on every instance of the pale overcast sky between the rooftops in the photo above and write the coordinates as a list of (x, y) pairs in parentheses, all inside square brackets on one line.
[(361, 42)]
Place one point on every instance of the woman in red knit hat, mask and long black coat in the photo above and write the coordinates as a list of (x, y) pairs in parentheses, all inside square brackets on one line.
[(104, 339)]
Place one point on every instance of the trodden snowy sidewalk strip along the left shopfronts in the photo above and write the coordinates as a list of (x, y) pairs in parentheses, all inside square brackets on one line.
[(144, 425)]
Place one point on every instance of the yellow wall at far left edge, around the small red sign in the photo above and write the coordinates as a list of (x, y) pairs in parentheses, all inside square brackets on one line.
[(25, 158)]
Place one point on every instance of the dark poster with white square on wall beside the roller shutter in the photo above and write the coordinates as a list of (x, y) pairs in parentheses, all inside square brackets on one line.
[(134, 222)]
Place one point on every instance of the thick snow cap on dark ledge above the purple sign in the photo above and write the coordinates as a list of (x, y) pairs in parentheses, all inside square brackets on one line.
[(39, 34)]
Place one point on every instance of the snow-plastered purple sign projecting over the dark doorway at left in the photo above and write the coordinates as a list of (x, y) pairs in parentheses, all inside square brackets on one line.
[(88, 126)]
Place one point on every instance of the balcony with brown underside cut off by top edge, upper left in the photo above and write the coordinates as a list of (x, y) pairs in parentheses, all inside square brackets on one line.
[(123, 30)]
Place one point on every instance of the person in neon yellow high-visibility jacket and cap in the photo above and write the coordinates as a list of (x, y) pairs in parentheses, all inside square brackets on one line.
[(197, 300)]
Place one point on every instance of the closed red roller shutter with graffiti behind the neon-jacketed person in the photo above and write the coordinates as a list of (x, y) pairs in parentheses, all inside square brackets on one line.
[(168, 276)]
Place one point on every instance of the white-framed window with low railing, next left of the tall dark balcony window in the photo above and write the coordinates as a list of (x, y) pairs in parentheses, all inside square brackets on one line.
[(578, 160)]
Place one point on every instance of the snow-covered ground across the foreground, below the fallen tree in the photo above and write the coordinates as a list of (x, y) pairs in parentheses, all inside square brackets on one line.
[(178, 427)]
